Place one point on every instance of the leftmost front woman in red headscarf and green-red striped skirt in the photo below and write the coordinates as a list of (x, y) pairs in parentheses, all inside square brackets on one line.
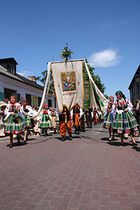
[(13, 120)]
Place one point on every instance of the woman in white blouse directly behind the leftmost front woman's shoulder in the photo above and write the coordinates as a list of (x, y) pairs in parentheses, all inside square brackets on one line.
[(27, 113)]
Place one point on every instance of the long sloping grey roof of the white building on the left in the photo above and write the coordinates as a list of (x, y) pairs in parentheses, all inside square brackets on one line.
[(19, 78)]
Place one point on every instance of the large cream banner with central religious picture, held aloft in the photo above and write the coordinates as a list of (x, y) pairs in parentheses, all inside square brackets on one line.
[(68, 83)]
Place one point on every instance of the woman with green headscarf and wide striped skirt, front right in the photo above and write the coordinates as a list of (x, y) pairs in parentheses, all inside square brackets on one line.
[(124, 120)]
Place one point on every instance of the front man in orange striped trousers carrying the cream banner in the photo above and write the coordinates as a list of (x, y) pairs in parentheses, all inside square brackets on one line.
[(65, 123)]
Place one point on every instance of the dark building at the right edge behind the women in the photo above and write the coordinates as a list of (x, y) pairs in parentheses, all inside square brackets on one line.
[(134, 87)]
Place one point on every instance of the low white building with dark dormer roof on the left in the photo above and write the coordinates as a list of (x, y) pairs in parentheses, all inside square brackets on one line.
[(12, 83)]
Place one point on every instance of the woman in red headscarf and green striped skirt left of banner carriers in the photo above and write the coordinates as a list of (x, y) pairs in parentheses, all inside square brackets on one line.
[(46, 120)]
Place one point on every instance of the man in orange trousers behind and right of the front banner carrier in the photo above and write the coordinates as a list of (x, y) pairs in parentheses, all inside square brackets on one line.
[(76, 118)]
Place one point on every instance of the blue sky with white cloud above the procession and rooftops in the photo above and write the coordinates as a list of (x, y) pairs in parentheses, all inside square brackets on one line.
[(106, 32)]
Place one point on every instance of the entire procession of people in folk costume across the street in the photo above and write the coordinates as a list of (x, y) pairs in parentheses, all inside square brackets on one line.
[(19, 119)]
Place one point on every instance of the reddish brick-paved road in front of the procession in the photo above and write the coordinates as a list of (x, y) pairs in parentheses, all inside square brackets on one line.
[(84, 174)]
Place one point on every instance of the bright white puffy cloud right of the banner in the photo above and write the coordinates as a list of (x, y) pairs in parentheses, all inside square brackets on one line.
[(105, 58)]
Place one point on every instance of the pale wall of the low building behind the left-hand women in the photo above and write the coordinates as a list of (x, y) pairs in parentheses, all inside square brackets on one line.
[(22, 89)]
